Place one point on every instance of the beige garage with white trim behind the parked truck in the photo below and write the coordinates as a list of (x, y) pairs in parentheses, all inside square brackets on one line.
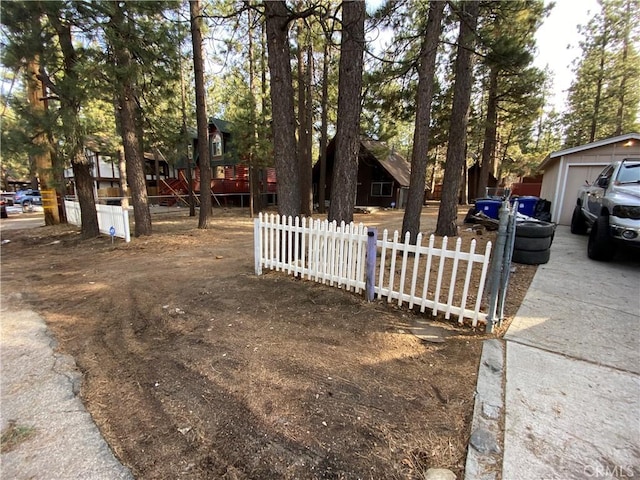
[(566, 170)]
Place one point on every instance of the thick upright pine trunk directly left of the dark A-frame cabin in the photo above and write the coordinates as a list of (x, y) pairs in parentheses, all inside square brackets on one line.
[(345, 169)]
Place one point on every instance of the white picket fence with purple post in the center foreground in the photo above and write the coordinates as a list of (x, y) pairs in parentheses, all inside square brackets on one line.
[(338, 255)]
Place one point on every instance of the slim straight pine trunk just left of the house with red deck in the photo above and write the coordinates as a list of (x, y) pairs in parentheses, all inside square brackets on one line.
[(201, 115)]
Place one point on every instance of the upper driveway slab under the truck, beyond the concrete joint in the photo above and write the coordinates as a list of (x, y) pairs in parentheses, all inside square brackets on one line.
[(582, 308)]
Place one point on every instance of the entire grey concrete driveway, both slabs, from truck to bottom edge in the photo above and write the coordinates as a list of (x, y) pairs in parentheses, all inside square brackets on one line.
[(572, 383)]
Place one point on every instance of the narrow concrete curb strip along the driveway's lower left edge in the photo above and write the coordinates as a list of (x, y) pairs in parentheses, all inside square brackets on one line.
[(484, 456)]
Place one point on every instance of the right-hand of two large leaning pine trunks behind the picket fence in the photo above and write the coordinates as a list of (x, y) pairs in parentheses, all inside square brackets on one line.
[(447, 214)]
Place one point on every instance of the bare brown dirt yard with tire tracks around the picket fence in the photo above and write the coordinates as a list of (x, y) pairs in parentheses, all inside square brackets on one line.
[(196, 368)]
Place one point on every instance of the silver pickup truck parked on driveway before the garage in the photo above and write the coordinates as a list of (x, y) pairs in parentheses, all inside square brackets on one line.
[(610, 207)]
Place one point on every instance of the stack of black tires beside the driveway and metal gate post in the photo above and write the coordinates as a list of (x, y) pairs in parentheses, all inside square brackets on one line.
[(533, 241)]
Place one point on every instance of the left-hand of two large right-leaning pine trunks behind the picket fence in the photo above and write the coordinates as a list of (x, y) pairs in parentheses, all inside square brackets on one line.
[(426, 71)]
